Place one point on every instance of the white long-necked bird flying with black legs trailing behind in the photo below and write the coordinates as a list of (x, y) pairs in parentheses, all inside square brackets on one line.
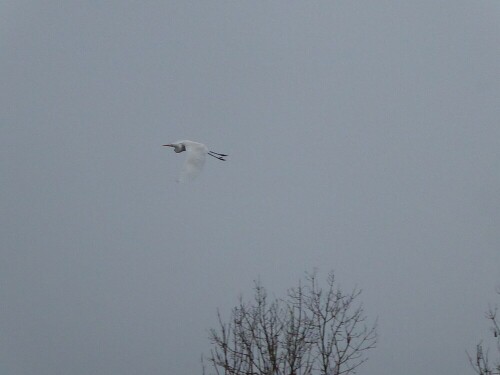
[(196, 154)]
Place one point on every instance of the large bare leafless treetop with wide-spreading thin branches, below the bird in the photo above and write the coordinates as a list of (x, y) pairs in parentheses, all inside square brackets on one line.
[(310, 331)]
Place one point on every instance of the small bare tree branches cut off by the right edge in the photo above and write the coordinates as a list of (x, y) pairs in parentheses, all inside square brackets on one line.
[(480, 362)]
